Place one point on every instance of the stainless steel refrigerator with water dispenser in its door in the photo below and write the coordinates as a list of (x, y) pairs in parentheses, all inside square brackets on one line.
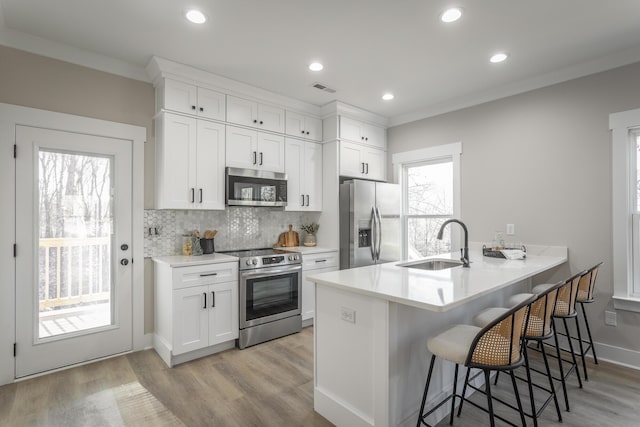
[(370, 228)]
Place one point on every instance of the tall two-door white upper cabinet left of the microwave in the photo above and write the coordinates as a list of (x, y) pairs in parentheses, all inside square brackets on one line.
[(190, 157)]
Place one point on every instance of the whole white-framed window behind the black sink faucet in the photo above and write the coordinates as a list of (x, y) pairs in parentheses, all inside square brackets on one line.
[(430, 188)]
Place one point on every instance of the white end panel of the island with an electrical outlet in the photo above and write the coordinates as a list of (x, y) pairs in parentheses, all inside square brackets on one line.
[(351, 358)]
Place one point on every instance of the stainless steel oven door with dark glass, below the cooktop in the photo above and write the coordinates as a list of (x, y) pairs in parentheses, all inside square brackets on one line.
[(269, 294)]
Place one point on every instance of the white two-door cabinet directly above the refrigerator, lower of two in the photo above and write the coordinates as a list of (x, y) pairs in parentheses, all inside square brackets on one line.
[(360, 161)]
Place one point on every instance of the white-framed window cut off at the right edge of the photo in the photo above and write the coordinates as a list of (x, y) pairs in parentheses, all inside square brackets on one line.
[(625, 138)]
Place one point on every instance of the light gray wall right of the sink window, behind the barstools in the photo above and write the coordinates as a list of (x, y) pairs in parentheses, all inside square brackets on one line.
[(542, 161)]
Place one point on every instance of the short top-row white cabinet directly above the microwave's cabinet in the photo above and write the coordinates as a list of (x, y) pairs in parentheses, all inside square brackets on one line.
[(253, 114)]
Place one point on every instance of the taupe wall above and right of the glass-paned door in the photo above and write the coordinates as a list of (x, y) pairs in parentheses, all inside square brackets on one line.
[(35, 81)]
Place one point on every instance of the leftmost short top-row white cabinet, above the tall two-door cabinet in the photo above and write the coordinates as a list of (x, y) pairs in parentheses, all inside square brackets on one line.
[(190, 99)]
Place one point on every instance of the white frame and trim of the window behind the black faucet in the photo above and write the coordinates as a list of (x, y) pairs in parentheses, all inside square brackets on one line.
[(429, 155)]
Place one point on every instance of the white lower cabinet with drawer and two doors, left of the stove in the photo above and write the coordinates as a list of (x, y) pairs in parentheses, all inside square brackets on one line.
[(196, 308)]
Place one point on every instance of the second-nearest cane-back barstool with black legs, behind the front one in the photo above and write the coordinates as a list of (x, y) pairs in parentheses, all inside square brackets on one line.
[(538, 329)]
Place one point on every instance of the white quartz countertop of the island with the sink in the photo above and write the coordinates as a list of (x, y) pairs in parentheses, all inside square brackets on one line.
[(444, 289)]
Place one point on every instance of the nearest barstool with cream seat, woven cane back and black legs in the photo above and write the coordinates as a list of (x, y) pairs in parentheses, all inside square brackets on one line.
[(495, 347)]
